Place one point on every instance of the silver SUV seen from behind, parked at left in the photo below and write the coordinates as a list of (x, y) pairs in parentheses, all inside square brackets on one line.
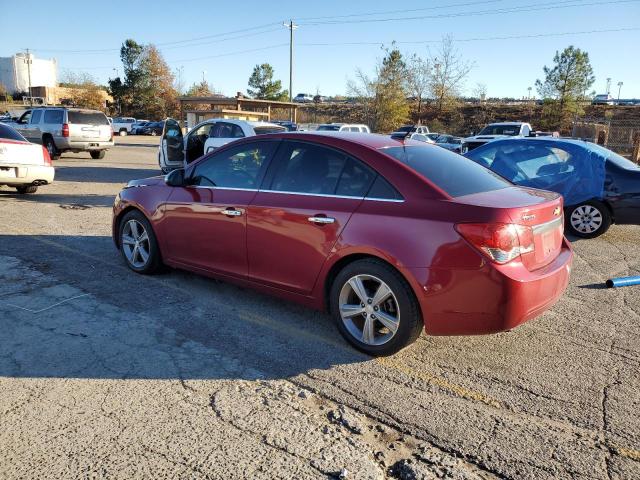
[(62, 129)]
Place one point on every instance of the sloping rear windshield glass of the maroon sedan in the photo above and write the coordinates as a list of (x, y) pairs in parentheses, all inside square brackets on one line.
[(456, 175)]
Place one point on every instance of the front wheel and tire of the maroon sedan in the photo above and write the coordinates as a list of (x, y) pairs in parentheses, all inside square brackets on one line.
[(138, 243)]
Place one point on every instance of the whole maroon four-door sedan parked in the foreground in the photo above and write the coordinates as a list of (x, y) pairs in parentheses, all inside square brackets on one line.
[(390, 236)]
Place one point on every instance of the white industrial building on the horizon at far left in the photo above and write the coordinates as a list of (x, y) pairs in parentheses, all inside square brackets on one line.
[(14, 72)]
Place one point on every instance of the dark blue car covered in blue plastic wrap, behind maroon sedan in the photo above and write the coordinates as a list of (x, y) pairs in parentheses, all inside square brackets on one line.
[(599, 186)]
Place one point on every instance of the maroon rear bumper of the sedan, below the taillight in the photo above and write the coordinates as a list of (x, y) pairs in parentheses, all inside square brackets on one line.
[(489, 299)]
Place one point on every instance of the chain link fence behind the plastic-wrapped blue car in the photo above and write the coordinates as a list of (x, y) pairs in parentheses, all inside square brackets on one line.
[(620, 135)]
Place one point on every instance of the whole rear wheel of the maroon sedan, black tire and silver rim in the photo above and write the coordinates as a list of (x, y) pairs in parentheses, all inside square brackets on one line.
[(374, 308)]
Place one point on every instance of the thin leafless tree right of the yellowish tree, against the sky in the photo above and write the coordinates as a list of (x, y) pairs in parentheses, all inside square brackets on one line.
[(449, 73)]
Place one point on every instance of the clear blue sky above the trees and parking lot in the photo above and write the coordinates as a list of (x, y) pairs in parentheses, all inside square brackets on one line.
[(194, 38)]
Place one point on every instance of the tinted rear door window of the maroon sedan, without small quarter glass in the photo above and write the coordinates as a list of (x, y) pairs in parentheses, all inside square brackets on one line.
[(308, 168)]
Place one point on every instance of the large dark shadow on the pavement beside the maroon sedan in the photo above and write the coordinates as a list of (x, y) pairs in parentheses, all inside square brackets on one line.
[(78, 312)]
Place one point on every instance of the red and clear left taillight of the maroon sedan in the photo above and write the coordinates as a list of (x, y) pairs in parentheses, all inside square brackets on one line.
[(501, 242)]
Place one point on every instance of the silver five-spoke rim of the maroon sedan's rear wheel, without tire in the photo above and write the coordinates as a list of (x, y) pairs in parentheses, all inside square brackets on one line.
[(369, 310)]
